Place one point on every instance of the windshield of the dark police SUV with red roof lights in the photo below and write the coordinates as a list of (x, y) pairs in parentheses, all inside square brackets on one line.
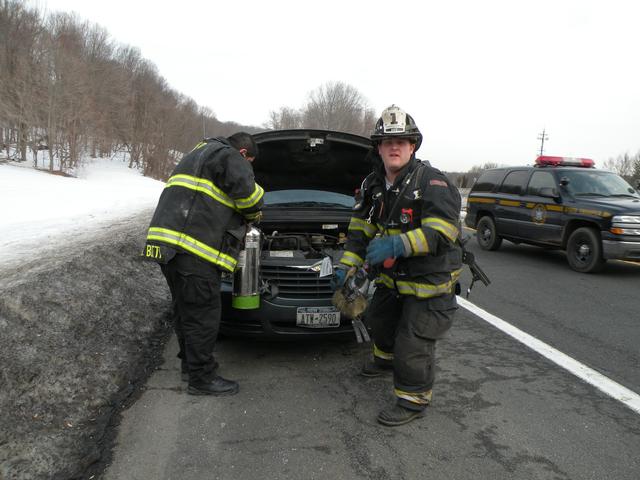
[(597, 183)]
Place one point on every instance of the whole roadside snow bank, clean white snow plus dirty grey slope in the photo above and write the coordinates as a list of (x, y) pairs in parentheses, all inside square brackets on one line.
[(82, 320)]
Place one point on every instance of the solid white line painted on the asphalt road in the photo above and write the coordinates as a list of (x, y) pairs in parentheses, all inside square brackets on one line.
[(605, 384)]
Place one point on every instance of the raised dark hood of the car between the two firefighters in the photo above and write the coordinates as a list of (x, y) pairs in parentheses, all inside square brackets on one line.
[(311, 159)]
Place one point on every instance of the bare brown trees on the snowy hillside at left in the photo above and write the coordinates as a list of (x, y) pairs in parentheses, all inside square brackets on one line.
[(66, 86)]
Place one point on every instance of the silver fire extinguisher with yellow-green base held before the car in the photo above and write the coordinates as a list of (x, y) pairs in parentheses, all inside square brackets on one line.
[(246, 287)]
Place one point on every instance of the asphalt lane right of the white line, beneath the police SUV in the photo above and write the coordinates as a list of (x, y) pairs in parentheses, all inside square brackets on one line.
[(594, 318)]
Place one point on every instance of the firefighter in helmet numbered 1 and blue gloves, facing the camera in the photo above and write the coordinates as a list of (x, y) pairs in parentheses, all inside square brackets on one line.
[(405, 225)]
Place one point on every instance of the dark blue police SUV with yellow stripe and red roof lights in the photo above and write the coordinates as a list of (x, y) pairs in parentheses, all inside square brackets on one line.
[(564, 203)]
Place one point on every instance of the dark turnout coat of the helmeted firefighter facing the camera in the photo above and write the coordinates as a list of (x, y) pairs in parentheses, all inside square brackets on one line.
[(427, 216)]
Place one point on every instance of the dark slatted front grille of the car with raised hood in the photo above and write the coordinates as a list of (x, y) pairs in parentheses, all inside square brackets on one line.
[(297, 282)]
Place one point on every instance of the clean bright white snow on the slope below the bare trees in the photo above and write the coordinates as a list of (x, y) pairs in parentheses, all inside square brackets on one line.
[(39, 210)]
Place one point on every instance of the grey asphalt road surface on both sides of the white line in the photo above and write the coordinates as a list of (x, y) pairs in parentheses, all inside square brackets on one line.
[(500, 410)]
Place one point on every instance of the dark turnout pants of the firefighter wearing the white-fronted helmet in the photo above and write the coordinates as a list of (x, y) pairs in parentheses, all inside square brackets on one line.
[(404, 331)]
